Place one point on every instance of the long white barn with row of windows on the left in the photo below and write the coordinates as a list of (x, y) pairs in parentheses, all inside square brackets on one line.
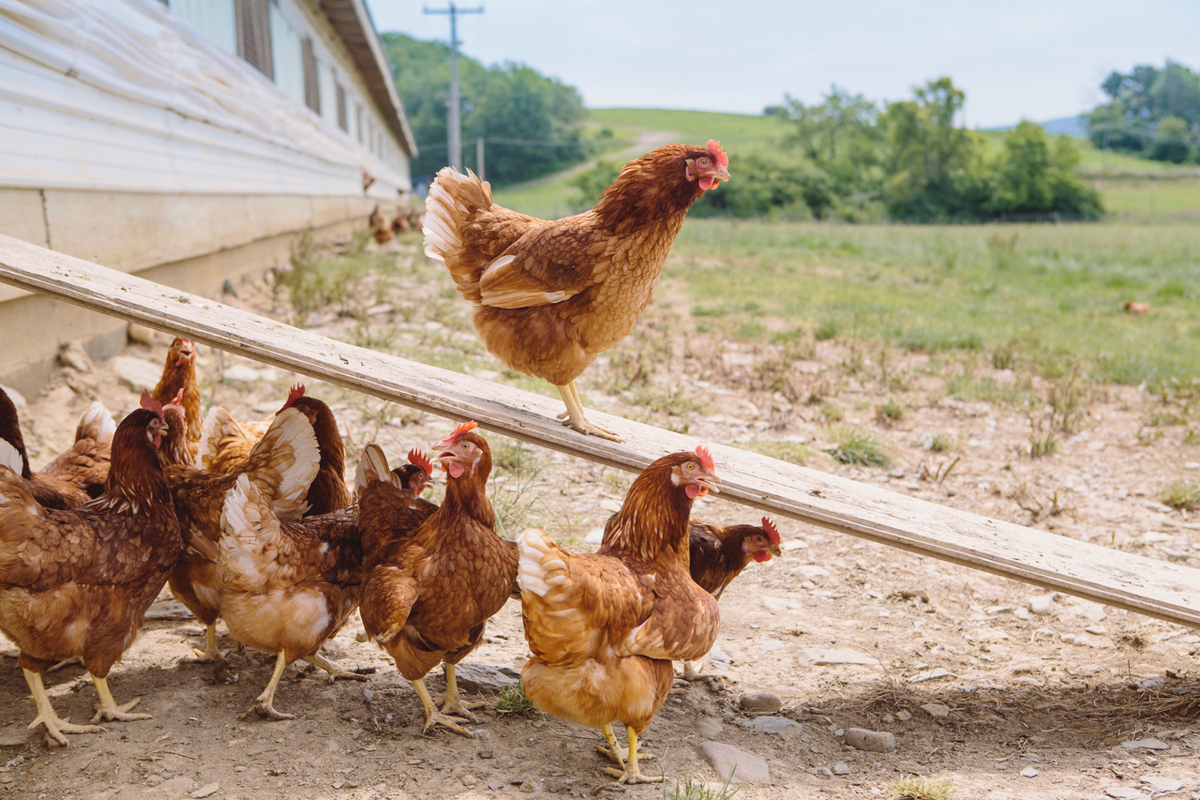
[(184, 141)]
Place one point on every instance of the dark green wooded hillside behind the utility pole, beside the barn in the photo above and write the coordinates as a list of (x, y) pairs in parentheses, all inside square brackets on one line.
[(512, 106)]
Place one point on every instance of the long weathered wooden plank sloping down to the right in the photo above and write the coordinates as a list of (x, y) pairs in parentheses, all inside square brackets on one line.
[(1161, 590)]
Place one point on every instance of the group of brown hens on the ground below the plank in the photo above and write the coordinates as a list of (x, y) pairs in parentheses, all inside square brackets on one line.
[(254, 524)]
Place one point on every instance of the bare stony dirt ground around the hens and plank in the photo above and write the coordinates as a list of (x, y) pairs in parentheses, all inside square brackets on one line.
[(985, 683)]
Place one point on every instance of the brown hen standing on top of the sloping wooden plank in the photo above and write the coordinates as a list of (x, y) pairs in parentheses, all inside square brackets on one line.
[(551, 297)]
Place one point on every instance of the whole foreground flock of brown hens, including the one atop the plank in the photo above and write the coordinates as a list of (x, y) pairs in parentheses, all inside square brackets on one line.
[(255, 524)]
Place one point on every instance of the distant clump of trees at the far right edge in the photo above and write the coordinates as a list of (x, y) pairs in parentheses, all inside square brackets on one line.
[(1153, 113)]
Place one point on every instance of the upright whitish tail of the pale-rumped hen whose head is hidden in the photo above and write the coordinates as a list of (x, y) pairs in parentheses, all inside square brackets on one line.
[(248, 531)]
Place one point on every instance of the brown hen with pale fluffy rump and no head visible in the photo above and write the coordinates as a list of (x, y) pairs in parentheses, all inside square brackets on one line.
[(287, 587)]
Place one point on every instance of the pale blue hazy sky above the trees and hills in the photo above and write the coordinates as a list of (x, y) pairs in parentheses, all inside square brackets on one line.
[(1016, 61)]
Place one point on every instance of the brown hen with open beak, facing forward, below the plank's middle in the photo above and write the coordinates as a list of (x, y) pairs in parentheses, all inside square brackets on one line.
[(434, 580)]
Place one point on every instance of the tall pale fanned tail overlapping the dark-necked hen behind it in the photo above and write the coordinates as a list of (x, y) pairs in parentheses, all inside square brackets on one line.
[(285, 464)]
